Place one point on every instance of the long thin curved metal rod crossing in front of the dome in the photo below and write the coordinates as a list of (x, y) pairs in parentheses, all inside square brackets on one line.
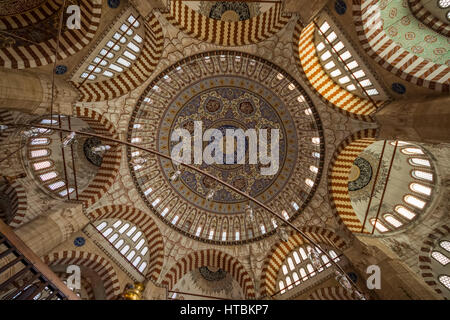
[(238, 191)]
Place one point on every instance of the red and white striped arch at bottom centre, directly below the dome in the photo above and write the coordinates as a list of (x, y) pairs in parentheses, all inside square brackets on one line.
[(212, 258)]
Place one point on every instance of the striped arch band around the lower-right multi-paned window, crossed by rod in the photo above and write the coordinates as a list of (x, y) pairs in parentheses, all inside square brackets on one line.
[(281, 250)]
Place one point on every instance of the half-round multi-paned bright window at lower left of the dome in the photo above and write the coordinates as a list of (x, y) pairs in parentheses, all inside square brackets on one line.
[(127, 239)]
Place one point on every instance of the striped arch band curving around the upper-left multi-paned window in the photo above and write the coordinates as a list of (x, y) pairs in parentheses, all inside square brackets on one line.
[(139, 71)]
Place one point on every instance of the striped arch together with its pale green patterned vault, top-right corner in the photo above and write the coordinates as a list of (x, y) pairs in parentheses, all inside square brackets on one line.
[(393, 38)]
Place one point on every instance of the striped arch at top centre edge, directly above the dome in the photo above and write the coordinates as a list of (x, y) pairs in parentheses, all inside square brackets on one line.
[(226, 33)]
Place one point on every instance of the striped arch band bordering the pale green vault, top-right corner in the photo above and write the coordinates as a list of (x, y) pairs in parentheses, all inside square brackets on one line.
[(391, 55)]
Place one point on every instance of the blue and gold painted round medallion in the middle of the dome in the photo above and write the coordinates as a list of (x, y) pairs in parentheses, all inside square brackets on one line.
[(228, 104)]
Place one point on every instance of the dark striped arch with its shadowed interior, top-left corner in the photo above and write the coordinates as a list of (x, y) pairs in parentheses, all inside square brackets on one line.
[(38, 48)]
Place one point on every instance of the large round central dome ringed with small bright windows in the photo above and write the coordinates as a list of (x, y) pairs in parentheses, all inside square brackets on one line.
[(223, 92)]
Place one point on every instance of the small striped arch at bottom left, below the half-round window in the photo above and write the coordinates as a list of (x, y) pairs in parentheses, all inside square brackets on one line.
[(99, 265)]
